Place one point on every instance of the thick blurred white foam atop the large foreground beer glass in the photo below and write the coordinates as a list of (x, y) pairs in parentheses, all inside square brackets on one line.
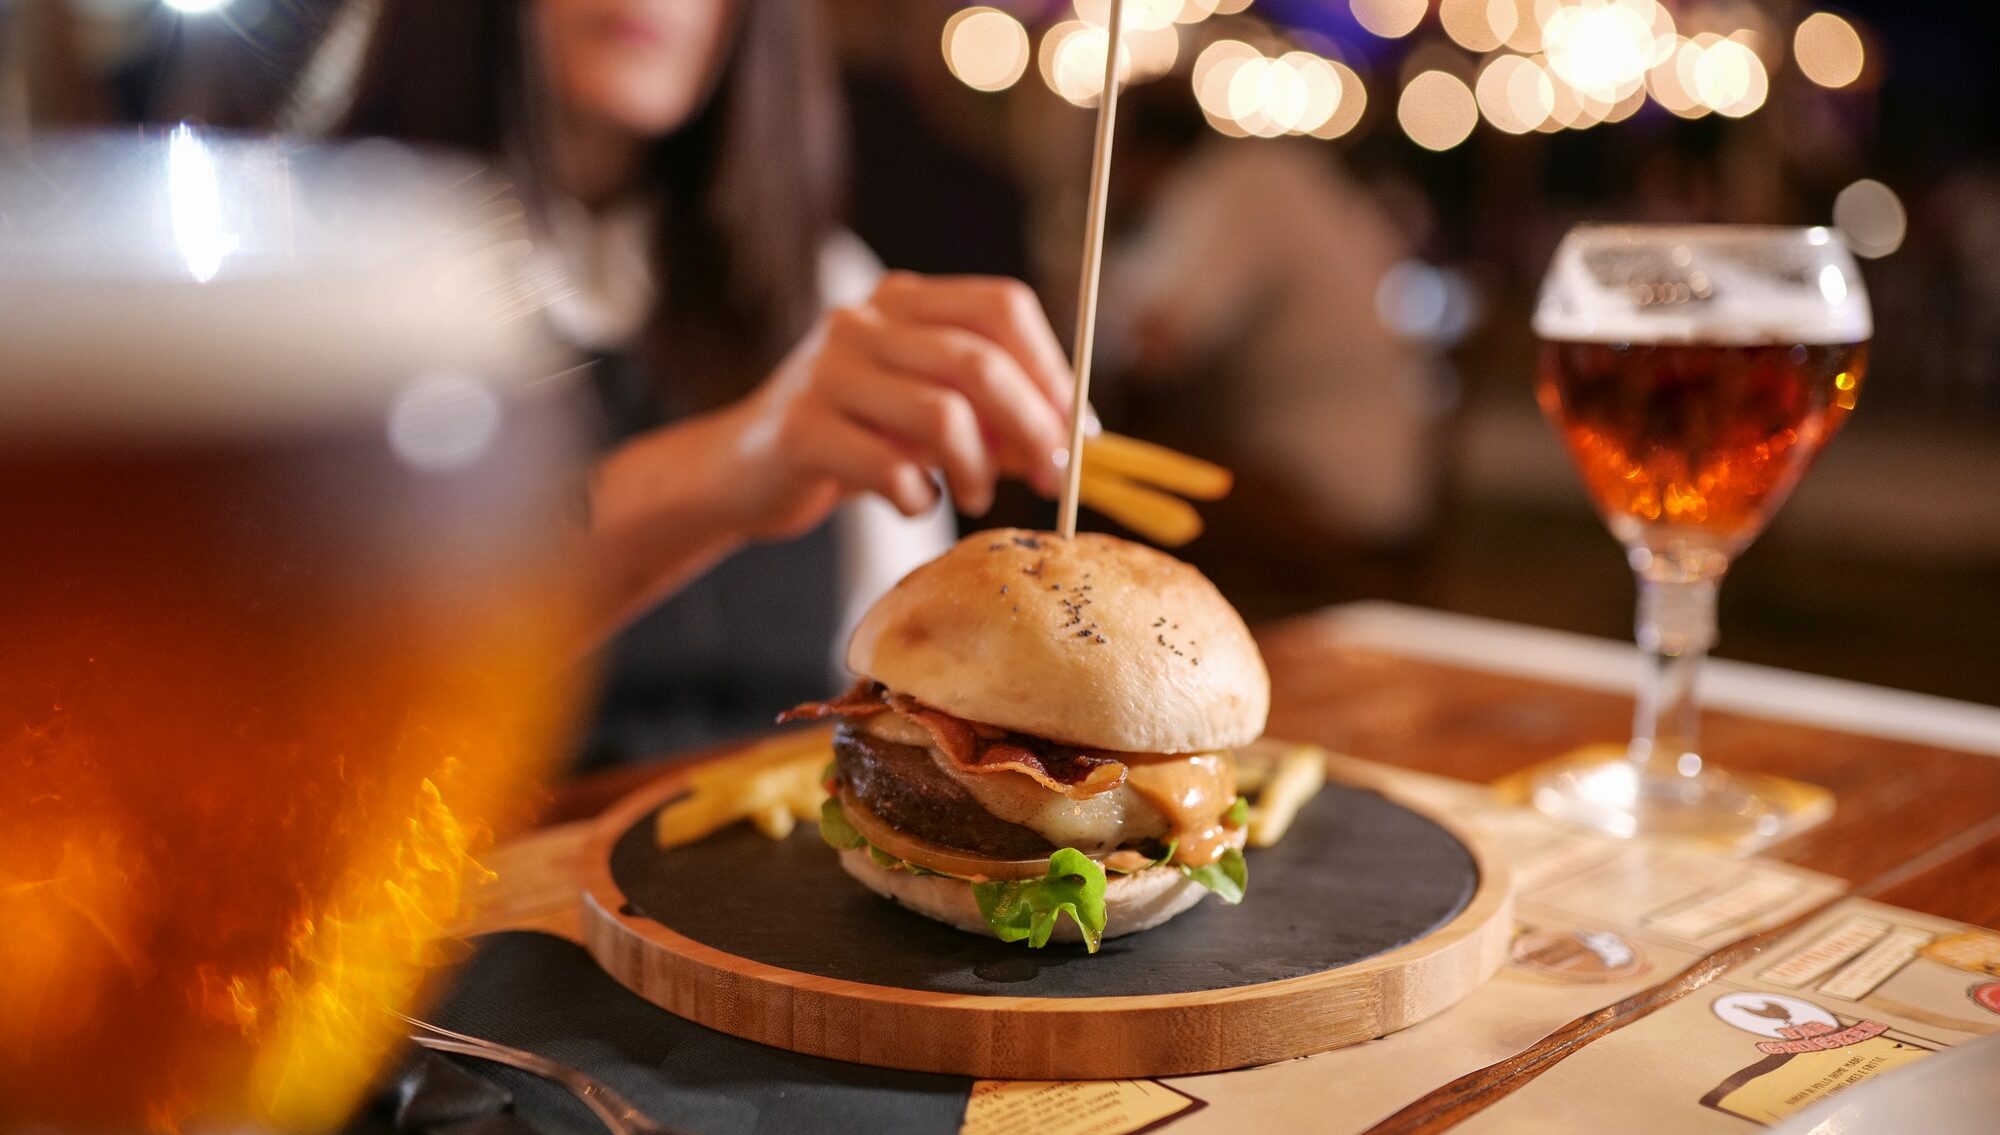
[(195, 285)]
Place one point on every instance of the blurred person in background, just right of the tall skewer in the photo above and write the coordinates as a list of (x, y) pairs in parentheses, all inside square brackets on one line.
[(1243, 325)]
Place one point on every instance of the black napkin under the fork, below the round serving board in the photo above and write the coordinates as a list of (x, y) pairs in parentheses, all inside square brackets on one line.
[(547, 996)]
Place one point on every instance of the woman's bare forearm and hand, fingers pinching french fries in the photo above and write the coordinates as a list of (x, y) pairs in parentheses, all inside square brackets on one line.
[(931, 375)]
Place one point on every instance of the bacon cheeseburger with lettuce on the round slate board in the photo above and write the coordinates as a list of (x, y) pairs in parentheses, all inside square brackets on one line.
[(1039, 740)]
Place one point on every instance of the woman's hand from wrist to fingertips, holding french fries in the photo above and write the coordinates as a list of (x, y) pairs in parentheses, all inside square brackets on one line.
[(931, 375)]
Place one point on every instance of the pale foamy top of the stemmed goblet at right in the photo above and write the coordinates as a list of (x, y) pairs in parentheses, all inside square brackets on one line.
[(1705, 285)]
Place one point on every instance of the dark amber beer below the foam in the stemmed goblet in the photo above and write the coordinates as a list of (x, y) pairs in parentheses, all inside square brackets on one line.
[(1695, 445)]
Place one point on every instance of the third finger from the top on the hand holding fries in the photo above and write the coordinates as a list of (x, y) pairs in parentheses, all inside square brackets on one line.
[(927, 419)]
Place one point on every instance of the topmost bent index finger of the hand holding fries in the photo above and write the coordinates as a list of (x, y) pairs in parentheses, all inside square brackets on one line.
[(993, 307)]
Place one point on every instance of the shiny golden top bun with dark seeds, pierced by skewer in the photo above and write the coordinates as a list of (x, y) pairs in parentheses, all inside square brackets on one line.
[(1093, 642)]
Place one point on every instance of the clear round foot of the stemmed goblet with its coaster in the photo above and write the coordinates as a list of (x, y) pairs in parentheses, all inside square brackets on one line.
[(1737, 812)]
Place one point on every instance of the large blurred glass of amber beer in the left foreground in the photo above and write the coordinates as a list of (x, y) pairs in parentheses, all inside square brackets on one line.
[(285, 620)]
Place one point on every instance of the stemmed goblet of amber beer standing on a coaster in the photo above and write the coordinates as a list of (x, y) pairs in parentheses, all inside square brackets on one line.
[(1693, 373)]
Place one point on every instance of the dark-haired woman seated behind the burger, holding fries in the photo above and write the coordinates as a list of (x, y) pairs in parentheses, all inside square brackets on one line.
[(773, 401)]
